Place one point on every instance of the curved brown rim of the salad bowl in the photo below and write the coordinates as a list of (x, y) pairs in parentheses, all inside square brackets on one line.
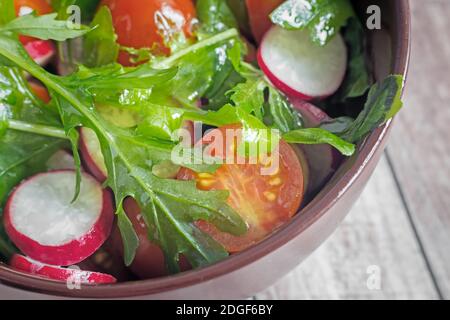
[(299, 224)]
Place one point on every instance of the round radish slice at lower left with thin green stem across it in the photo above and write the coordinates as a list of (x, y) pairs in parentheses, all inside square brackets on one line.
[(43, 223)]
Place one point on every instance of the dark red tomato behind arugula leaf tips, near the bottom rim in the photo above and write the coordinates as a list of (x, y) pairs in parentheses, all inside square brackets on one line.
[(149, 260)]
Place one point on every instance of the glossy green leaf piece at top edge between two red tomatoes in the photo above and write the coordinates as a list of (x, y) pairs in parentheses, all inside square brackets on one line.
[(215, 16)]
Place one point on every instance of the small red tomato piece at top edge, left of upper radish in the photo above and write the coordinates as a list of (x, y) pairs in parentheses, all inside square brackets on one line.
[(259, 12)]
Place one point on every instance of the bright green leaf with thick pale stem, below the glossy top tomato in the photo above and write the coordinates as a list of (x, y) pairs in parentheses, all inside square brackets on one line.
[(205, 59)]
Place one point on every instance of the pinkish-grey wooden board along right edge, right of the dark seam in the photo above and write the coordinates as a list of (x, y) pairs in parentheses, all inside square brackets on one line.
[(420, 146)]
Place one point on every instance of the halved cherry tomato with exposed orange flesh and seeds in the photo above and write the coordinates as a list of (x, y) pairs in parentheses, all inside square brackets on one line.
[(265, 202)]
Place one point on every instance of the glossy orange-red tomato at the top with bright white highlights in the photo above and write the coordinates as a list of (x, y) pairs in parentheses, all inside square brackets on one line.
[(146, 23)]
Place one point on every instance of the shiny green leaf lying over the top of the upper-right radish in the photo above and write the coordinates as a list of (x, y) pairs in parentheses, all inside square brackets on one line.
[(323, 18)]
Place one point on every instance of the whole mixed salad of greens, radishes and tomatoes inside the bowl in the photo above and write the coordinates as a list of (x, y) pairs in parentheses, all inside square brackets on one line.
[(144, 138)]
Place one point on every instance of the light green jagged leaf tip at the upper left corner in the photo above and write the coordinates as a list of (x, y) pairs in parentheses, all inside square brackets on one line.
[(44, 27)]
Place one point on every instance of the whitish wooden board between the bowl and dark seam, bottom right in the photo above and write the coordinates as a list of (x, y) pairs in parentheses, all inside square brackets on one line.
[(376, 232)]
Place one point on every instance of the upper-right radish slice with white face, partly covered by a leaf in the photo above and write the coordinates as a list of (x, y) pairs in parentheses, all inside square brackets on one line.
[(300, 68)]
